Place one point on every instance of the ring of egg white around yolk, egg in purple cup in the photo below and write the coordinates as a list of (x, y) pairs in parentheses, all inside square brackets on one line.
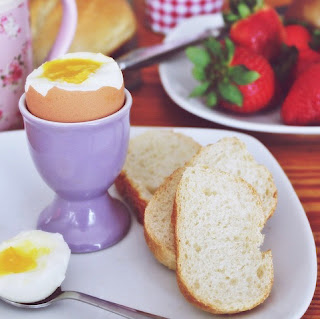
[(109, 74)]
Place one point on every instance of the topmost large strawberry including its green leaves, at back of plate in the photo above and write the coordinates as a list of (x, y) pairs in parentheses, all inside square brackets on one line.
[(255, 26)]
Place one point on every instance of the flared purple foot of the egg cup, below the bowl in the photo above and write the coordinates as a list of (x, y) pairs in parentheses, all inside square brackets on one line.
[(87, 225)]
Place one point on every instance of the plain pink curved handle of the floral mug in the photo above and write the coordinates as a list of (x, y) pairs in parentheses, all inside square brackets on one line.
[(67, 30)]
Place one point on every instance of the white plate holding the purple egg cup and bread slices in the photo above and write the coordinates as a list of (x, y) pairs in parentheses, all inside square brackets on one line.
[(128, 274)]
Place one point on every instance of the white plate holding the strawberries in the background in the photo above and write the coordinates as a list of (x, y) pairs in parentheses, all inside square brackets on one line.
[(177, 80)]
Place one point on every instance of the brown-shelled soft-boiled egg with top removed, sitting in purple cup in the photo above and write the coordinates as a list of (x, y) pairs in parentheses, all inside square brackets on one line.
[(76, 87)]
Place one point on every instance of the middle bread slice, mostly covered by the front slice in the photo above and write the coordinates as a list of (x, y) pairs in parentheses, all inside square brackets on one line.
[(229, 155)]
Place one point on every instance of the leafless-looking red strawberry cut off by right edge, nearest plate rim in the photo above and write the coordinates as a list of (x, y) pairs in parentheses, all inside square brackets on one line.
[(302, 104)]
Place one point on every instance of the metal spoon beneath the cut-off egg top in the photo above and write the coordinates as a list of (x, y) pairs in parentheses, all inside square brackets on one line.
[(59, 294)]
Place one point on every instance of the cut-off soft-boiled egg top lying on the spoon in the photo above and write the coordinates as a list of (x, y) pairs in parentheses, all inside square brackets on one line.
[(32, 265)]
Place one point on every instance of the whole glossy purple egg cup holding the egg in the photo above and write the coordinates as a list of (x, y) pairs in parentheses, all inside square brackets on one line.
[(80, 161)]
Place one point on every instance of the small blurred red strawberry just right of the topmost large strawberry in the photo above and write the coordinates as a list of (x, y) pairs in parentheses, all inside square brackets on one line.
[(298, 36)]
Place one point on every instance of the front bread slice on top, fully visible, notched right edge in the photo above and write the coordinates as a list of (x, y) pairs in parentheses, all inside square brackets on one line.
[(218, 219)]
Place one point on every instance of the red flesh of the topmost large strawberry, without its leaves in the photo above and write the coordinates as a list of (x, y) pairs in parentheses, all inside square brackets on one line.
[(262, 32)]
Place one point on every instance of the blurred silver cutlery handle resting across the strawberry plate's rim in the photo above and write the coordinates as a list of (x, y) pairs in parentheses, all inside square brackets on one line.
[(142, 57)]
